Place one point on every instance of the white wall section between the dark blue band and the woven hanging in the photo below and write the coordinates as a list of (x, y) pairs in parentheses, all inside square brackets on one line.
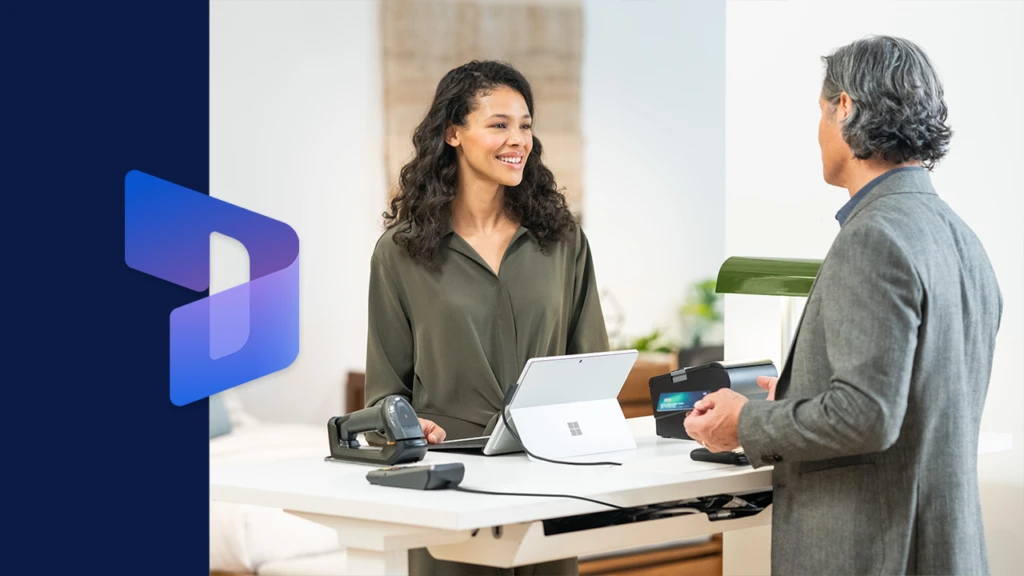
[(295, 135)]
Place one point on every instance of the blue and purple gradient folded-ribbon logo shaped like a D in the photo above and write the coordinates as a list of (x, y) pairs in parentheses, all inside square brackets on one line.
[(234, 337)]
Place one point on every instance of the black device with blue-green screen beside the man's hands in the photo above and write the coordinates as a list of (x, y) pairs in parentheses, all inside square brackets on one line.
[(674, 395)]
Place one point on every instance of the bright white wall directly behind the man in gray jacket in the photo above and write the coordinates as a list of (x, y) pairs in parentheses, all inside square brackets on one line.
[(778, 204)]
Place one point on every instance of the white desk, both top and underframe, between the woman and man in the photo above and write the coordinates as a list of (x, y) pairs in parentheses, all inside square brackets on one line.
[(379, 525)]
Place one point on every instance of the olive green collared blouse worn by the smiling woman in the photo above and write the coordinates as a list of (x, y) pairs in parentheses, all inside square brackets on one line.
[(453, 340)]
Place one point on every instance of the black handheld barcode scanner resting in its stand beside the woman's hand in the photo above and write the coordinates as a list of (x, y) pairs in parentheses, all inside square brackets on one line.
[(395, 419)]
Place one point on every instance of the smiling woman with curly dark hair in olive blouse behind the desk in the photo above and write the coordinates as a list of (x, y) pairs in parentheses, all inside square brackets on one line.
[(482, 268)]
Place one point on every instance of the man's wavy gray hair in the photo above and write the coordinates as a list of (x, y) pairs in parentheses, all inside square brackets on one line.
[(899, 111)]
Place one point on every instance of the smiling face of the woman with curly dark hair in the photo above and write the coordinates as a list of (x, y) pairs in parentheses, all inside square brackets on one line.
[(497, 138)]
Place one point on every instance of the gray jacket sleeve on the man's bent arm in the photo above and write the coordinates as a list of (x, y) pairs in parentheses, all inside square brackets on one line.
[(871, 313)]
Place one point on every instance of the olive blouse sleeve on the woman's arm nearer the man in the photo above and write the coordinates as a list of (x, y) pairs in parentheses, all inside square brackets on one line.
[(588, 333)]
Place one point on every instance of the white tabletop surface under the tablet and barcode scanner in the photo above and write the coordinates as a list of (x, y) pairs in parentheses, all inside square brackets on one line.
[(659, 471)]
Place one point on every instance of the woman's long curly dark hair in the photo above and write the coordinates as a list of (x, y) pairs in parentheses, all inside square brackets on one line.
[(429, 183)]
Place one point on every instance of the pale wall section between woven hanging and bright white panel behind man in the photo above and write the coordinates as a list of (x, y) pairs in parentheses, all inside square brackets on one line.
[(654, 119)]
